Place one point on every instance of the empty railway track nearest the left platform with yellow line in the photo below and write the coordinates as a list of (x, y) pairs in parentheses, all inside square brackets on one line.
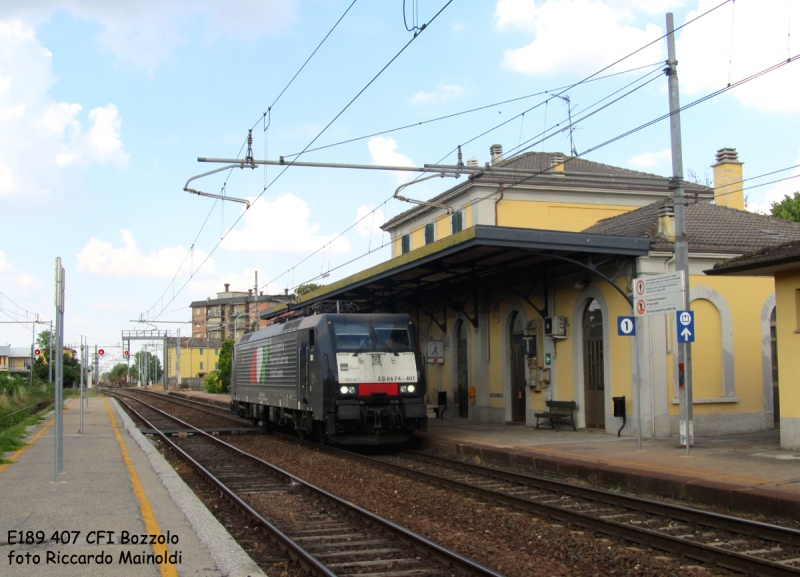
[(325, 534)]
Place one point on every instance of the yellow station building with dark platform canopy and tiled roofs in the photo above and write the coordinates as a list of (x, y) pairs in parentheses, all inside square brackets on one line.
[(515, 282)]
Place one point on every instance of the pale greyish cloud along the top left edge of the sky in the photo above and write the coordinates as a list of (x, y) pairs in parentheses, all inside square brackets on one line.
[(147, 32)]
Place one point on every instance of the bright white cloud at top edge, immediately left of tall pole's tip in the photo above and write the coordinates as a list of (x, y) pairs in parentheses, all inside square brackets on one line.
[(576, 36)]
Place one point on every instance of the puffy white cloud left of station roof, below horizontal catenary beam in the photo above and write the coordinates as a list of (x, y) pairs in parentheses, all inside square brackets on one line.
[(281, 226)]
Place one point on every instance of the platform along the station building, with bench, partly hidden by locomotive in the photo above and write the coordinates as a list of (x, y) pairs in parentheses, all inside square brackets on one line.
[(743, 472)]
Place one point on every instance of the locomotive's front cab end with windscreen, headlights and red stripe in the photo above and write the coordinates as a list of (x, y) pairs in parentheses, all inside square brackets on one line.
[(380, 384)]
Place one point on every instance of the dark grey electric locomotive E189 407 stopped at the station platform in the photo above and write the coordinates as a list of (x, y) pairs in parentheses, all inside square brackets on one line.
[(345, 377)]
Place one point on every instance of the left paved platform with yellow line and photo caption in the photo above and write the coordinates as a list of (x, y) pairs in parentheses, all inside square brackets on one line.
[(114, 481)]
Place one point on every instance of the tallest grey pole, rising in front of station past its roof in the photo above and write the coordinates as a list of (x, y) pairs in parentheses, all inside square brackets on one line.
[(681, 242)]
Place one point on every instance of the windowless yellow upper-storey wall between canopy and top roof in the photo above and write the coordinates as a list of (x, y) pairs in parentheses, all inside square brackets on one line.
[(571, 217)]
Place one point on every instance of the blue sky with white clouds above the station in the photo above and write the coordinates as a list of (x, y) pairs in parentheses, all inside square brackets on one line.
[(106, 106)]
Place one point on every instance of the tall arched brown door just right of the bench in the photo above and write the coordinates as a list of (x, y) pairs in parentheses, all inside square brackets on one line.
[(593, 377)]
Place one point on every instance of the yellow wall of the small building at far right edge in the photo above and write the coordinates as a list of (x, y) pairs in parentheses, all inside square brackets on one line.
[(787, 297)]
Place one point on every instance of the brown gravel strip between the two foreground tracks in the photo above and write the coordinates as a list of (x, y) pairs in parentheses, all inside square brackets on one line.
[(514, 543)]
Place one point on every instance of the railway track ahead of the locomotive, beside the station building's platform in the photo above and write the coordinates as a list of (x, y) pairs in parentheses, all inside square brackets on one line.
[(737, 544)]
